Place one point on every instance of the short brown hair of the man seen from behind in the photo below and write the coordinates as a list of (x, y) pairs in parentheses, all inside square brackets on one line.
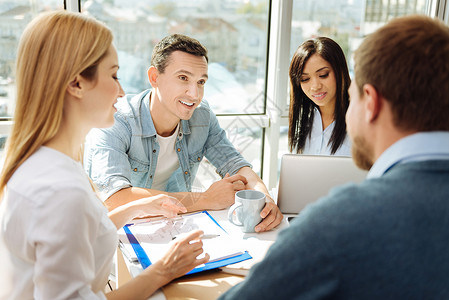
[(407, 61)]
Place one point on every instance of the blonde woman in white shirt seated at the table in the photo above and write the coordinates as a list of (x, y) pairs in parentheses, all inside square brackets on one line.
[(56, 240)]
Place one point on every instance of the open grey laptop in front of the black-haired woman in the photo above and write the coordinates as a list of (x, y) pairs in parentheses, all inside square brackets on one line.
[(306, 178)]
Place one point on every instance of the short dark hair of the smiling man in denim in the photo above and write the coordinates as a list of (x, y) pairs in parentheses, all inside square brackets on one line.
[(175, 42)]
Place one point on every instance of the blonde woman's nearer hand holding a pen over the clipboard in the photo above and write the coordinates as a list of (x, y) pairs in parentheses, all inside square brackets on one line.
[(180, 258)]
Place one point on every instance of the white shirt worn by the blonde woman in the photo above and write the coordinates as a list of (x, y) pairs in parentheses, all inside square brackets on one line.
[(56, 240)]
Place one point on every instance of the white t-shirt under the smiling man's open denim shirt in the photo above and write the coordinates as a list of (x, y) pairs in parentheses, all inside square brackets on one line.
[(167, 160)]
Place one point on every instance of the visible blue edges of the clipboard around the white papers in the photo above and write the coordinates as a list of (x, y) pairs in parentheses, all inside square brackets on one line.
[(145, 261)]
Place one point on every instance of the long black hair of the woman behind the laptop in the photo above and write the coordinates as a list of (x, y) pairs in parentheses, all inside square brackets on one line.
[(302, 108)]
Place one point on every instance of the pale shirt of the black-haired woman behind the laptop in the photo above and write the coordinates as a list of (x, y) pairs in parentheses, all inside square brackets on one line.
[(318, 142)]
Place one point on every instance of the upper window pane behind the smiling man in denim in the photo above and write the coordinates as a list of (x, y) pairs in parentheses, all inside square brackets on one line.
[(234, 32)]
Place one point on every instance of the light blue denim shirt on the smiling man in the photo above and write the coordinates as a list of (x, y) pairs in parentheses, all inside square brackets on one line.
[(126, 154)]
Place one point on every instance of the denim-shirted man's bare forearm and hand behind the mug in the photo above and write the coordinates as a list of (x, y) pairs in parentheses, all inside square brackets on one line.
[(270, 214)]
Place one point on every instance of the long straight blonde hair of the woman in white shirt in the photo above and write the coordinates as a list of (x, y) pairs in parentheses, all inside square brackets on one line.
[(54, 48)]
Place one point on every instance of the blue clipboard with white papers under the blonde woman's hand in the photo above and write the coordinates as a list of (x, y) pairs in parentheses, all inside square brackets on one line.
[(151, 240)]
